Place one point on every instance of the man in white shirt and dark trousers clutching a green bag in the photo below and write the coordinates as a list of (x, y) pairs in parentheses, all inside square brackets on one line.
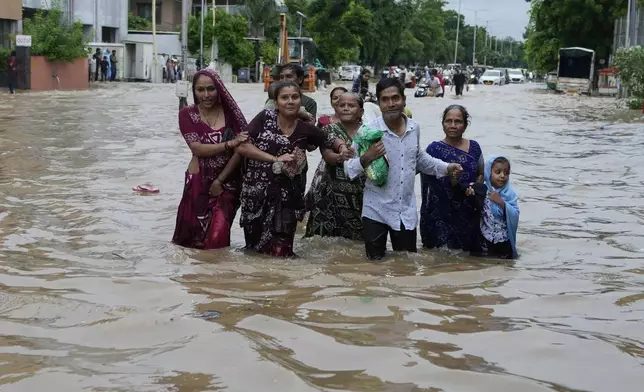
[(391, 209)]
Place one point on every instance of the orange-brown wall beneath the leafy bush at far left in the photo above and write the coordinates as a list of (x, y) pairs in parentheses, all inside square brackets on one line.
[(71, 76)]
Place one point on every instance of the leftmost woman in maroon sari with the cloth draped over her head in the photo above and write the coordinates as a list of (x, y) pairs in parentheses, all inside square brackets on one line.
[(213, 127)]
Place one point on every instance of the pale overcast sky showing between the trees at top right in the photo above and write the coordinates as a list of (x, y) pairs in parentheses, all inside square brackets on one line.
[(507, 17)]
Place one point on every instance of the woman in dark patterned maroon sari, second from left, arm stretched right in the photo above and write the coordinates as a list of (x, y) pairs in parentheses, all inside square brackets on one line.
[(273, 186)]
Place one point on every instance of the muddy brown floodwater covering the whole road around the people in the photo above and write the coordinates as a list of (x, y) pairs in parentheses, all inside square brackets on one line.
[(93, 296)]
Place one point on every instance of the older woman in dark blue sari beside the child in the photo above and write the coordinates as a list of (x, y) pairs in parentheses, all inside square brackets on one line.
[(446, 220)]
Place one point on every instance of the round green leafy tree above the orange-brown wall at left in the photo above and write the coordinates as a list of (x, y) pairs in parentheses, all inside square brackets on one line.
[(54, 37)]
